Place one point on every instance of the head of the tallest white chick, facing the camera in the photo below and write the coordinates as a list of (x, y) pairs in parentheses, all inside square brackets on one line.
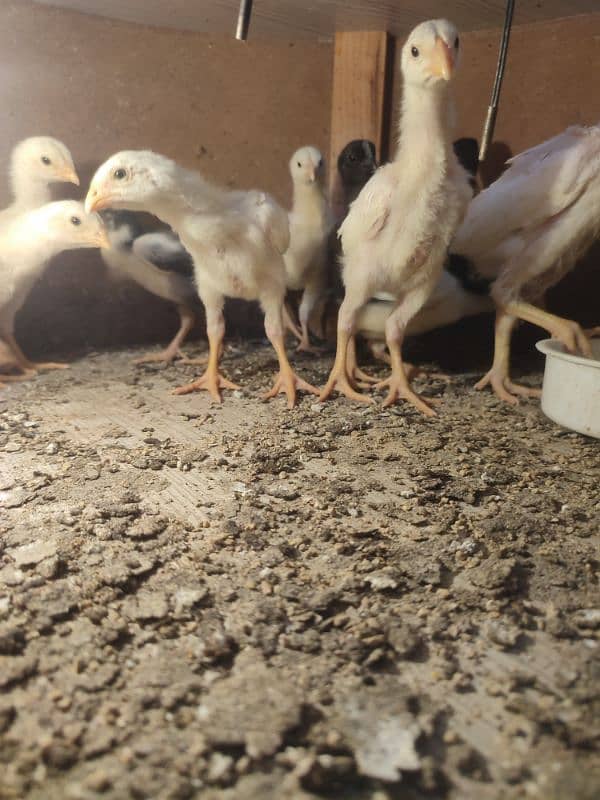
[(430, 54)]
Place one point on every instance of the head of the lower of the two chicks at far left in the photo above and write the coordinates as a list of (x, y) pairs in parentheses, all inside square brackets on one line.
[(68, 223)]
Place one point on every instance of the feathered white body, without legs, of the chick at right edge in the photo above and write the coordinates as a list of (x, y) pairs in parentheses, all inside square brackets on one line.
[(529, 227)]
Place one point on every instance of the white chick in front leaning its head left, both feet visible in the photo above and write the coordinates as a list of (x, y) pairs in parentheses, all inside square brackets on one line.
[(236, 240)]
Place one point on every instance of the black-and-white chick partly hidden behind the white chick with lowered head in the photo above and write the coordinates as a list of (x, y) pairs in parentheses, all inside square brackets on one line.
[(157, 262)]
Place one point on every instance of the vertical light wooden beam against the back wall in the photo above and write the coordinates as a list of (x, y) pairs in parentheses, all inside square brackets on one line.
[(359, 94)]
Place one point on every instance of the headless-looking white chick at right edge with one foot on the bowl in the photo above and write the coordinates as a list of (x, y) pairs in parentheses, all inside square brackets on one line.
[(526, 231)]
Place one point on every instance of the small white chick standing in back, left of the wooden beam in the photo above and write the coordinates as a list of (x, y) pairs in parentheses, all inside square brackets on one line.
[(310, 223)]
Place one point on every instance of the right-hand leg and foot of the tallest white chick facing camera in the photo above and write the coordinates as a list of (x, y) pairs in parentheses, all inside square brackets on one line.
[(395, 328)]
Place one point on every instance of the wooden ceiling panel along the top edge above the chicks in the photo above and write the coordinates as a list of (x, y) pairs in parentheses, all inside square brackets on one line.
[(295, 19)]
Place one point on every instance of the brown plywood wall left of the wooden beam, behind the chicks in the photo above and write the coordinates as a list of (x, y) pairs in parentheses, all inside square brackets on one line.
[(234, 110)]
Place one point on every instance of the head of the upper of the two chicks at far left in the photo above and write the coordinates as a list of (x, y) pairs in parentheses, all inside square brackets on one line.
[(45, 159)]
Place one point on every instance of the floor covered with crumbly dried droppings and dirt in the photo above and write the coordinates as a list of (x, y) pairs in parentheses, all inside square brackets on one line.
[(241, 602)]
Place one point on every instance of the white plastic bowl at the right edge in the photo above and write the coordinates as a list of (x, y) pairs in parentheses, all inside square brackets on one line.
[(571, 390)]
